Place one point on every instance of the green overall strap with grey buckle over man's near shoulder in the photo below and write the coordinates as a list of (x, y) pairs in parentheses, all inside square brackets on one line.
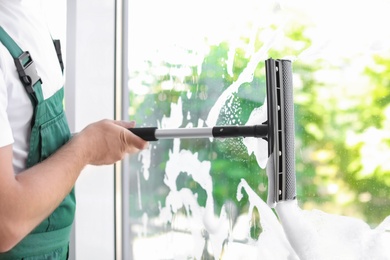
[(25, 66)]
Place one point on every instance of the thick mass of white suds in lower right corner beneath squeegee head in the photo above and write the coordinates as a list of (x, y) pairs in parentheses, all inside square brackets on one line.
[(318, 235)]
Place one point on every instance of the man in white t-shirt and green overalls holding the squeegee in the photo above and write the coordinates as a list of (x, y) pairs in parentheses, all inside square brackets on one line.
[(39, 160)]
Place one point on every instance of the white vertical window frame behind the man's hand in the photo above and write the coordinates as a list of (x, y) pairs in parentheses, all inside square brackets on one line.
[(93, 74)]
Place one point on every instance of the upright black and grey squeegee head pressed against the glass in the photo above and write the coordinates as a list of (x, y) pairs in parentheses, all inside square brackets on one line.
[(281, 162)]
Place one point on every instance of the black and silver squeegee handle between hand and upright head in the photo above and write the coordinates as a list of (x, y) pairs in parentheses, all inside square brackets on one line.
[(154, 134)]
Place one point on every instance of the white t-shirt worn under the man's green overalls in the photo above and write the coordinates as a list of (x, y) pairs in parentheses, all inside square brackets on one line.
[(24, 22)]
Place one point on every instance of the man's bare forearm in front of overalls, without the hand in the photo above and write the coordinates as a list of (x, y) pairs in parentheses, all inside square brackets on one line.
[(35, 193)]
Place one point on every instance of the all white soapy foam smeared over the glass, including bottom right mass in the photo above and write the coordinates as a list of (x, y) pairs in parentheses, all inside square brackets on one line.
[(298, 234)]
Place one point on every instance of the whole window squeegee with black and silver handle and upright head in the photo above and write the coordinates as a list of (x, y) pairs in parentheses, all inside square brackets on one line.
[(278, 131)]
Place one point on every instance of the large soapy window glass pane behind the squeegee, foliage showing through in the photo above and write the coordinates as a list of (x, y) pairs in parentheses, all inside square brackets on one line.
[(201, 64)]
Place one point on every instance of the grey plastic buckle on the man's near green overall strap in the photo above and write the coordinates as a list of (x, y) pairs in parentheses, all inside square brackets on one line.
[(27, 71)]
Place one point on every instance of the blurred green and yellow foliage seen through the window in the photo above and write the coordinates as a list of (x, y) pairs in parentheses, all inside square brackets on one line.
[(333, 126)]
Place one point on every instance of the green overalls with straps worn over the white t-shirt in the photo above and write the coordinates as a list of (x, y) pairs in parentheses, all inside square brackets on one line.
[(49, 131)]
